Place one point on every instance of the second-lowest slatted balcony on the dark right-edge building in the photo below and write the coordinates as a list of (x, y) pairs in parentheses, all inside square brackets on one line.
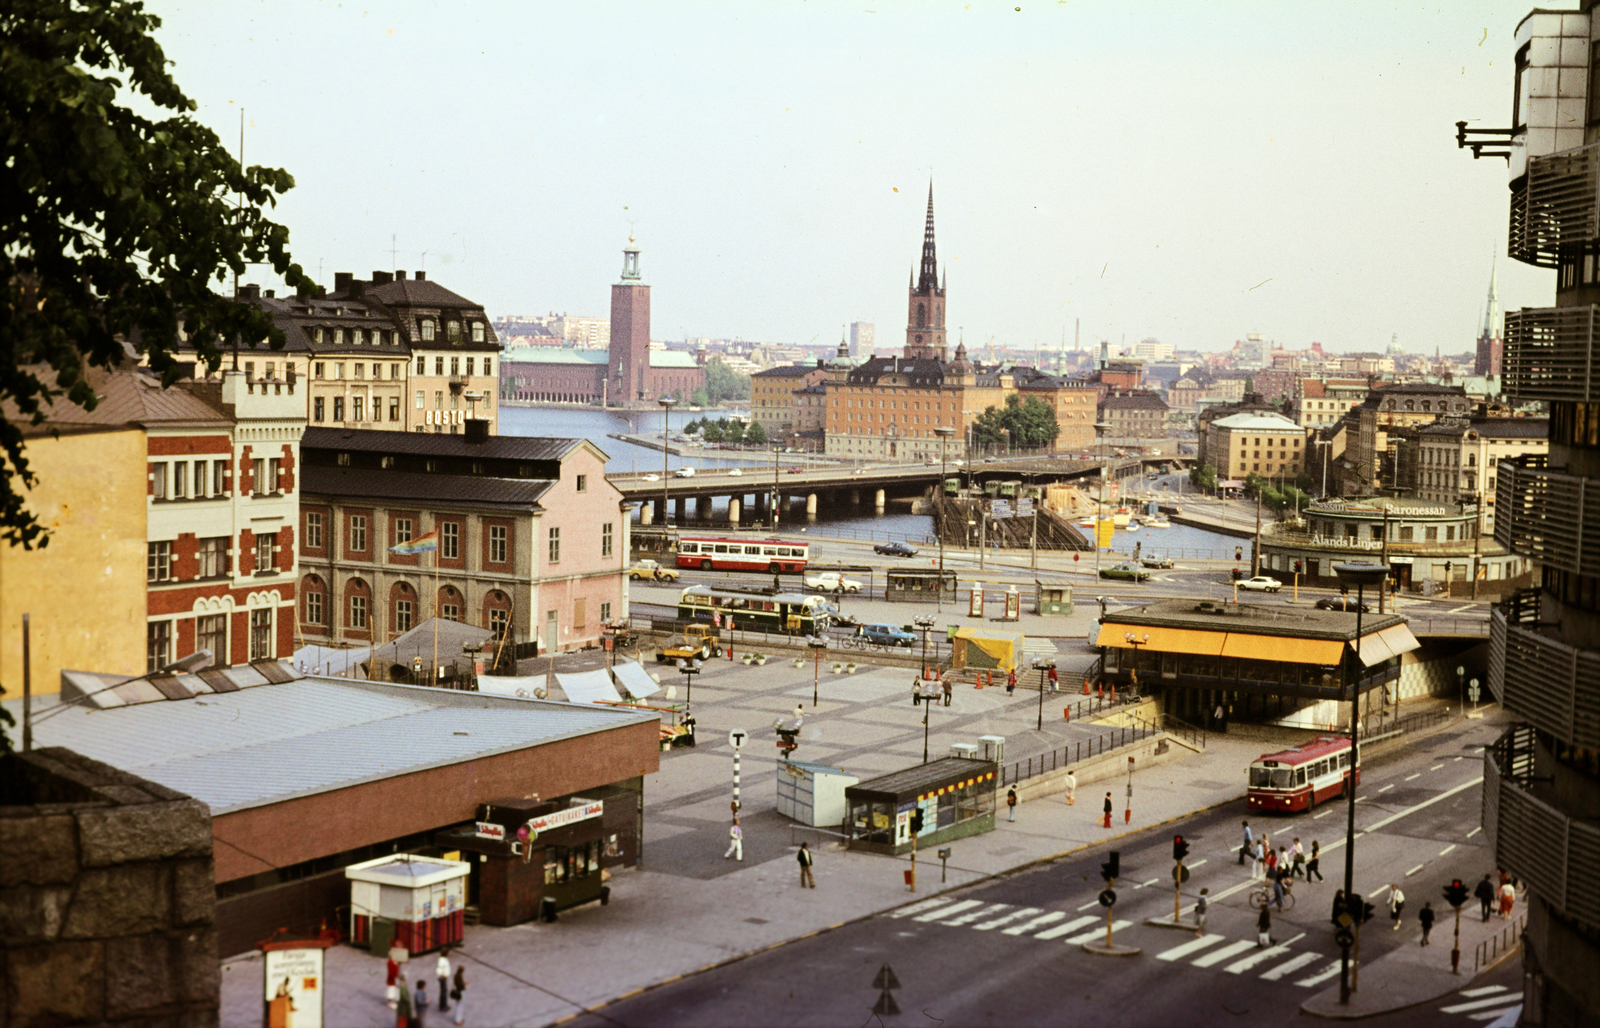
[(1553, 686)]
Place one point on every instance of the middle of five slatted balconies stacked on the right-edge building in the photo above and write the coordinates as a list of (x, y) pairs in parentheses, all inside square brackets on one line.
[(1548, 516)]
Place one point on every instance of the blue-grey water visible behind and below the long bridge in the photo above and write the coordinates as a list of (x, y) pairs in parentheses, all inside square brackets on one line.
[(838, 521)]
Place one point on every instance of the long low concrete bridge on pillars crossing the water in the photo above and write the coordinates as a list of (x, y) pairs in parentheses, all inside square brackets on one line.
[(750, 494)]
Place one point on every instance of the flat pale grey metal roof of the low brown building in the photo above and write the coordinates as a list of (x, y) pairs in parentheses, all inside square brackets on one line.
[(313, 736)]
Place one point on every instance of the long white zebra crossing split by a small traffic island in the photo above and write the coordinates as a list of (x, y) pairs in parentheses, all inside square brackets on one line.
[(1234, 957)]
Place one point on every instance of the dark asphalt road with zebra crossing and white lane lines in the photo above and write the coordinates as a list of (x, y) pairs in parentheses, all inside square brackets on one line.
[(1007, 952)]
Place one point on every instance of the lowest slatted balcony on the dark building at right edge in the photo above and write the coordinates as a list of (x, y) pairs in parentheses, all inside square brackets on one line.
[(1534, 840)]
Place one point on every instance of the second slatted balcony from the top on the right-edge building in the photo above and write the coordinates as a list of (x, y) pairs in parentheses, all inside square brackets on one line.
[(1551, 355)]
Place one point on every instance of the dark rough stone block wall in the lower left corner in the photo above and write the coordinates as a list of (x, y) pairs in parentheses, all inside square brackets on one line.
[(106, 897)]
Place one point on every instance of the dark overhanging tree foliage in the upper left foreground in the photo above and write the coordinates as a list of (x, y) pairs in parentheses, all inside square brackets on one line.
[(116, 227)]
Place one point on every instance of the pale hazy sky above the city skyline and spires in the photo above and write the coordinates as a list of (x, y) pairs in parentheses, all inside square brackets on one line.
[(1185, 171)]
